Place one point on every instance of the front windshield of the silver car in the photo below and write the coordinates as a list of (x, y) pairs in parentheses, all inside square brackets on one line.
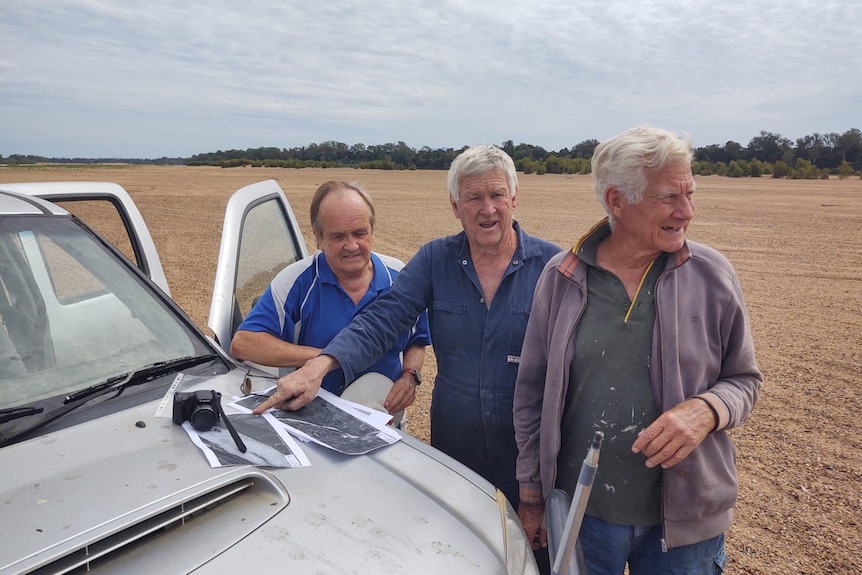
[(73, 313)]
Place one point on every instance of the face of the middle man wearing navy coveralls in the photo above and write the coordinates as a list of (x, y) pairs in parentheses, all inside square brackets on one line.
[(486, 209)]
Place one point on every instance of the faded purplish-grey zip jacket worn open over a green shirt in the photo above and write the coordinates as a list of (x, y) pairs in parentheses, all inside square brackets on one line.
[(702, 346)]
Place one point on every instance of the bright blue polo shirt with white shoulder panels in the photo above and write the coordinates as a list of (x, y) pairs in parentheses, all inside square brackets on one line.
[(305, 305)]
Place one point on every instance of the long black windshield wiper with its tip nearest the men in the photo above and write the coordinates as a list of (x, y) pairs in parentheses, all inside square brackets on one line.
[(118, 383)]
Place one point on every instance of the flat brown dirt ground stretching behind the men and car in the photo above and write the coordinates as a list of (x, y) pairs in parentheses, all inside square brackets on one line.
[(797, 248)]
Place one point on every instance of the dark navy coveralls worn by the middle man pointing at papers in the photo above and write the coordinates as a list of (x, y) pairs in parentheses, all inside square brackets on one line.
[(477, 348)]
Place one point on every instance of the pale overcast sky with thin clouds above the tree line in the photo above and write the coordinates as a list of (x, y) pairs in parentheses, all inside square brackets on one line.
[(146, 79)]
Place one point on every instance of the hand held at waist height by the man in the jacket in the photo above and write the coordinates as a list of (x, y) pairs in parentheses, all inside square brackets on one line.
[(675, 434)]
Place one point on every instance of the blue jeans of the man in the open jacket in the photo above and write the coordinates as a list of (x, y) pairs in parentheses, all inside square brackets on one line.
[(608, 547)]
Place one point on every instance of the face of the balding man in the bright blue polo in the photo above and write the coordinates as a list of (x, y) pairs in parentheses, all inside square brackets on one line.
[(347, 236)]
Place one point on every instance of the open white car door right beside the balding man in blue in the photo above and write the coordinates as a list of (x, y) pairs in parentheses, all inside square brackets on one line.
[(260, 237)]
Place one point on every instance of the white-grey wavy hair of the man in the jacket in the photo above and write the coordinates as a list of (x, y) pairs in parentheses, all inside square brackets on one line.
[(627, 160)]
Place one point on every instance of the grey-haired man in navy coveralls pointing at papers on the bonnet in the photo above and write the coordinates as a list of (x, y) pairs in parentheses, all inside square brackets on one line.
[(477, 286)]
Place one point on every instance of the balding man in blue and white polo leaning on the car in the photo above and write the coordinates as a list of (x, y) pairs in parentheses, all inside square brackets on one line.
[(311, 300)]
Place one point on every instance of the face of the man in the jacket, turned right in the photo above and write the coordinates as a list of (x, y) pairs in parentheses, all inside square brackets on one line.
[(659, 223)]
